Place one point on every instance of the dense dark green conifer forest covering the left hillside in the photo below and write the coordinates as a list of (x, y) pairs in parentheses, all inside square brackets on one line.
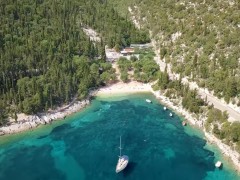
[(45, 57)]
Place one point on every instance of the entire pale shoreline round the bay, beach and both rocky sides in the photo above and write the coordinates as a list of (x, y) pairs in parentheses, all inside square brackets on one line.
[(26, 122)]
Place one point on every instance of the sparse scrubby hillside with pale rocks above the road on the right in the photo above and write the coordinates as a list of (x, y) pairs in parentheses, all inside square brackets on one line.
[(200, 39)]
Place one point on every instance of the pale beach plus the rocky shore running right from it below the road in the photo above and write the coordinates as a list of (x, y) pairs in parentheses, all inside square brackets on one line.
[(226, 150)]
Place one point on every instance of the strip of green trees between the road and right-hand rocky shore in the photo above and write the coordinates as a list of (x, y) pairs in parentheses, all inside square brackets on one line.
[(216, 122)]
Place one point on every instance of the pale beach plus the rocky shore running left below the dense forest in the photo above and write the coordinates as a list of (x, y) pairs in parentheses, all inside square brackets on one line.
[(30, 122)]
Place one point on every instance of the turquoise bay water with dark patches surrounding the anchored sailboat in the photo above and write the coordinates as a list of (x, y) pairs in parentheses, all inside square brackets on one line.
[(85, 146)]
